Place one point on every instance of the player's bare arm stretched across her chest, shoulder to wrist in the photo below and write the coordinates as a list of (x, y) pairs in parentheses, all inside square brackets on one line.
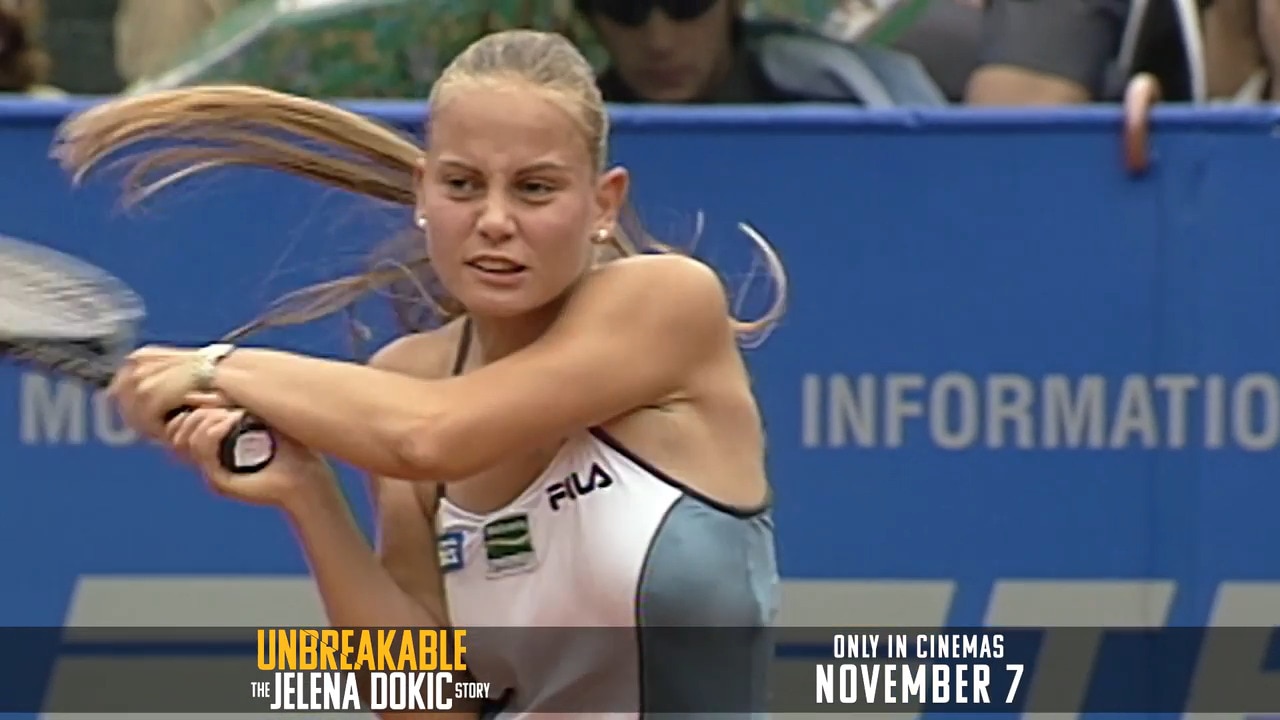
[(633, 334)]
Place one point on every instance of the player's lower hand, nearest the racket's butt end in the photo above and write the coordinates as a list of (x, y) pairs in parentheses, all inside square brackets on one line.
[(198, 435)]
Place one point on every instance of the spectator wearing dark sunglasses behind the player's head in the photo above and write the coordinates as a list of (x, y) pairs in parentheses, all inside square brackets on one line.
[(678, 52)]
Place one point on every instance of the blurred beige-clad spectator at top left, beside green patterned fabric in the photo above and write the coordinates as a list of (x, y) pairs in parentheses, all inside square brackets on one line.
[(152, 34)]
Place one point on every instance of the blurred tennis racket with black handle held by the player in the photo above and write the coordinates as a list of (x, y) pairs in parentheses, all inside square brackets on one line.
[(68, 317)]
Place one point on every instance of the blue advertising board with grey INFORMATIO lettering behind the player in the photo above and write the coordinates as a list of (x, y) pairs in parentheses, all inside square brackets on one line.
[(1014, 385)]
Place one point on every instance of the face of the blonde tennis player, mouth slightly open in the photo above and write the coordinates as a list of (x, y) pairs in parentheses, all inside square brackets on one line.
[(511, 199)]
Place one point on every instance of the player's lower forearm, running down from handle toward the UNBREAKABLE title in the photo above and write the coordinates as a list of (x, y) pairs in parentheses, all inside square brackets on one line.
[(355, 589)]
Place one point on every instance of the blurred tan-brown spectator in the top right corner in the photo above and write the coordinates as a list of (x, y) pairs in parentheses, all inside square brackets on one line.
[(1242, 44)]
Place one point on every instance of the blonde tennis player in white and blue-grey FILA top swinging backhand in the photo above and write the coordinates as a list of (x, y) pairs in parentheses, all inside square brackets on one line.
[(579, 448)]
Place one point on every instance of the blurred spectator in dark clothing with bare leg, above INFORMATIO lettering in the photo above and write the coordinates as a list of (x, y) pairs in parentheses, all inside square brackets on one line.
[(1071, 52)]
